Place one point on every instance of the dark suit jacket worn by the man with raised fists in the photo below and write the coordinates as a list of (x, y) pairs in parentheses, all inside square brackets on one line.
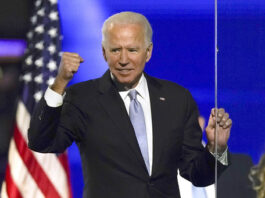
[(94, 116)]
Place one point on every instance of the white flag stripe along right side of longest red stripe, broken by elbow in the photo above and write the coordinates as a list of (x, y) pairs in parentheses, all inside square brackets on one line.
[(56, 174)]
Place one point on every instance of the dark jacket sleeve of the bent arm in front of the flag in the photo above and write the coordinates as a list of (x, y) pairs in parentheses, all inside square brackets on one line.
[(54, 129)]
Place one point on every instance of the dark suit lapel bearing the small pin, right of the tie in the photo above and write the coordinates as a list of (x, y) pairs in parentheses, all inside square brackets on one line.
[(159, 111)]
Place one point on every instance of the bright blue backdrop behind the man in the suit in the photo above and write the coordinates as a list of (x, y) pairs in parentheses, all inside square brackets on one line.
[(184, 53)]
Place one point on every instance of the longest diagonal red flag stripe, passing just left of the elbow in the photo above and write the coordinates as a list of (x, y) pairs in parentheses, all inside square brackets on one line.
[(34, 168)]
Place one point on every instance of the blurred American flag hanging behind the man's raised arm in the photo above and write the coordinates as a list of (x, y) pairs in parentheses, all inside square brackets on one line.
[(30, 174)]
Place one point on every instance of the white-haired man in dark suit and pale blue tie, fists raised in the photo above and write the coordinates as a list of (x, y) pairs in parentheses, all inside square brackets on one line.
[(120, 160)]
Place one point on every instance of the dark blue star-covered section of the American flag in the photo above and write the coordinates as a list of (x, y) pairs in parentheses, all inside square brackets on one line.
[(40, 63)]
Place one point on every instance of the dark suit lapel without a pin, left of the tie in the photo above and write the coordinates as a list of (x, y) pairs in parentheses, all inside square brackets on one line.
[(113, 104)]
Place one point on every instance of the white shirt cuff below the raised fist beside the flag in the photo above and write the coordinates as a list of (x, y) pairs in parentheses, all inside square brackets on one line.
[(52, 98)]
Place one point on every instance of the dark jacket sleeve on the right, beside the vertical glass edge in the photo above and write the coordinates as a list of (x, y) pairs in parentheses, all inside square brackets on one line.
[(196, 163)]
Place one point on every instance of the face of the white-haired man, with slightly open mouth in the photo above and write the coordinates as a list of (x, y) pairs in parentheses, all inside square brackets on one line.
[(126, 53)]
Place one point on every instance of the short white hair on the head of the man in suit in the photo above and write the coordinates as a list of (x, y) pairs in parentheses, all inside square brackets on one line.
[(128, 18)]
